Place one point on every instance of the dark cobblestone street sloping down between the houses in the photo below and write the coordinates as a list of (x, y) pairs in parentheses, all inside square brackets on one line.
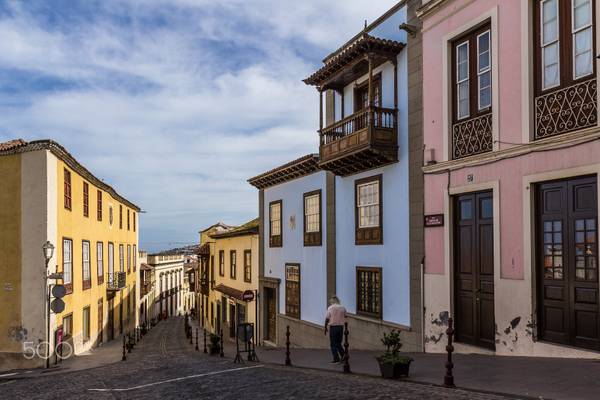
[(164, 365)]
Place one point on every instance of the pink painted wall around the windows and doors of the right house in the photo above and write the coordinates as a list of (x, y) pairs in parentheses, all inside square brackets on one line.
[(508, 172)]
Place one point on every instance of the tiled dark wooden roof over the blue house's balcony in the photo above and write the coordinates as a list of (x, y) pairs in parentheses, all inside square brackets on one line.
[(350, 62)]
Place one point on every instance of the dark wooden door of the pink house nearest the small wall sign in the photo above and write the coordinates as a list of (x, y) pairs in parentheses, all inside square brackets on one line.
[(474, 269)]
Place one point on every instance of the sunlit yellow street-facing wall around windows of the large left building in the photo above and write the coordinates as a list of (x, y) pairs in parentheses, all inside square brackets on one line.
[(72, 224)]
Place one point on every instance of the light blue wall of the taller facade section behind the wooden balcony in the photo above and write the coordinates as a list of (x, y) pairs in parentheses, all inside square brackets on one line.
[(393, 256)]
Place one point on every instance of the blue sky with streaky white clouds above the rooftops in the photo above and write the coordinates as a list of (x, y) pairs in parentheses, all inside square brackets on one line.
[(174, 103)]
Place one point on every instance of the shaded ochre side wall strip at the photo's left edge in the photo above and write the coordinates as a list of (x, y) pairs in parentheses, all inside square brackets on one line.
[(10, 254)]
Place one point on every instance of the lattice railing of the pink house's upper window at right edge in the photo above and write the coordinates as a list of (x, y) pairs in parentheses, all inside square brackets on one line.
[(565, 110)]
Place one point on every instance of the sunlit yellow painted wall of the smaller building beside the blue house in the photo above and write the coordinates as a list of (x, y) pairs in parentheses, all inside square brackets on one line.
[(239, 244)]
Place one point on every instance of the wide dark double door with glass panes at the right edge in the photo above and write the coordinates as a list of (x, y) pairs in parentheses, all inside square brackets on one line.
[(567, 262)]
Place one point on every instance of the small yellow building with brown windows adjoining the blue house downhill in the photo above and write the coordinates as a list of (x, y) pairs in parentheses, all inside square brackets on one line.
[(233, 271)]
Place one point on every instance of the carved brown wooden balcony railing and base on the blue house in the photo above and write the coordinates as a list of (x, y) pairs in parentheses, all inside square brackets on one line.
[(361, 141)]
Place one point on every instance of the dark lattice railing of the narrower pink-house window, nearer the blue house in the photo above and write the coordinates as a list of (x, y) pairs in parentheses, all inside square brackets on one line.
[(473, 136)]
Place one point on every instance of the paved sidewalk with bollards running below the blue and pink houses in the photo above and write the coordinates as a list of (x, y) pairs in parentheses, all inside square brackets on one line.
[(544, 378)]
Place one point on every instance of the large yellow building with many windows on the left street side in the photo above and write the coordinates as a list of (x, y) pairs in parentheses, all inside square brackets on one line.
[(48, 196)]
